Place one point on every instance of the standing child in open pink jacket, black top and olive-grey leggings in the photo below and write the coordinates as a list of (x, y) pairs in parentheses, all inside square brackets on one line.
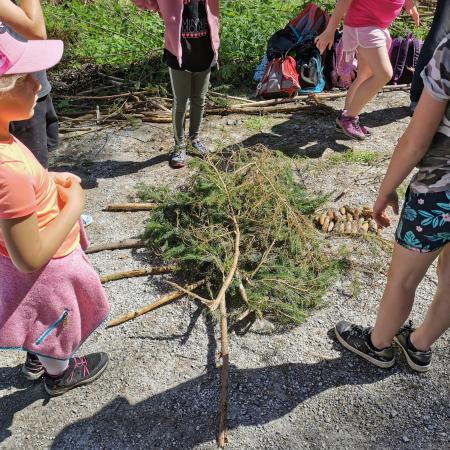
[(191, 51)]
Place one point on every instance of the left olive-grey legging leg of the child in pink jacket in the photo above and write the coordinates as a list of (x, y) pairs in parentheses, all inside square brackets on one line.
[(181, 90)]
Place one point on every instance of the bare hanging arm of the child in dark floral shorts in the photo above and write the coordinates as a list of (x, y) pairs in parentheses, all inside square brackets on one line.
[(410, 149)]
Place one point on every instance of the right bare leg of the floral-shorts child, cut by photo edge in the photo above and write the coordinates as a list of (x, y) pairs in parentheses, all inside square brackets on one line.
[(437, 320)]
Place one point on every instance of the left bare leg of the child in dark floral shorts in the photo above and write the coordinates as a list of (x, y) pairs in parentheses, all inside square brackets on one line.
[(406, 271)]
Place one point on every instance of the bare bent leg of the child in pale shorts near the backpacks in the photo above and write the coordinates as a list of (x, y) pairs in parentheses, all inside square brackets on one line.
[(380, 65)]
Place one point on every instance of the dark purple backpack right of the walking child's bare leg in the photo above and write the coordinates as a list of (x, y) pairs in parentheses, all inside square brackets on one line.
[(403, 54)]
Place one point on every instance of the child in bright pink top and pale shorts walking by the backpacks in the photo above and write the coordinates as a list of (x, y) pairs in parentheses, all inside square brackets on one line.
[(365, 31)]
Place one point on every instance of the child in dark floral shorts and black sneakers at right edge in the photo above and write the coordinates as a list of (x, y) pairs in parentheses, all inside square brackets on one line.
[(423, 233)]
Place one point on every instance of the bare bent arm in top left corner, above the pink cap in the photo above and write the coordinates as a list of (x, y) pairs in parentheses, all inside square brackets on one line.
[(26, 20)]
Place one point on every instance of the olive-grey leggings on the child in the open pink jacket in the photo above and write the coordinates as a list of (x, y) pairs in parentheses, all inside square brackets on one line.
[(186, 86)]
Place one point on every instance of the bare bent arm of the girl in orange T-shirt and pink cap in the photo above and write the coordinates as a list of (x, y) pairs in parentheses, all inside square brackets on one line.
[(30, 249)]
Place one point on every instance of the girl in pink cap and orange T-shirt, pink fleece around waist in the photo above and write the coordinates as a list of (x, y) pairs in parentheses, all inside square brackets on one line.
[(51, 299)]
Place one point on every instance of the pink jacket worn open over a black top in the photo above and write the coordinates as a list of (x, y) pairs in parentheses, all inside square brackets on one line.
[(171, 12)]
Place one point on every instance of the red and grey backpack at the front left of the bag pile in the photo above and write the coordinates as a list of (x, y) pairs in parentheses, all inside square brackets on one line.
[(280, 79)]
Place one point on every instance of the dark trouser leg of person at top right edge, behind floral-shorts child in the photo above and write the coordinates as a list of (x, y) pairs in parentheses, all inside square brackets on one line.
[(438, 30)]
